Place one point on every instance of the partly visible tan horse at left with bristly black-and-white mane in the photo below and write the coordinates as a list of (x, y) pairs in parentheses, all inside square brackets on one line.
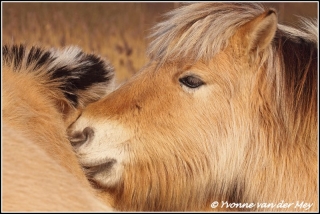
[(44, 90)]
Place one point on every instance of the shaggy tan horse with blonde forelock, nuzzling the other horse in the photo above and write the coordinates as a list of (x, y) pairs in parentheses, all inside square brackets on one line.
[(223, 117)]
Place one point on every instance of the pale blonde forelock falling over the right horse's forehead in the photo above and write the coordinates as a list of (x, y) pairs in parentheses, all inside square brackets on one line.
[(208, 23)]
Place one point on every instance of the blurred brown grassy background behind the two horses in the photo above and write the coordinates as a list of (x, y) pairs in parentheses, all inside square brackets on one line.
[(116, 31)]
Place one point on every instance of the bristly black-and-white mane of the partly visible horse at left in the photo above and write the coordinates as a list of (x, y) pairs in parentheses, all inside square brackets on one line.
[(70, 68)]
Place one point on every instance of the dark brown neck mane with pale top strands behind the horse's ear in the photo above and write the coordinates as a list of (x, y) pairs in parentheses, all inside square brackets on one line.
[(299, 67)]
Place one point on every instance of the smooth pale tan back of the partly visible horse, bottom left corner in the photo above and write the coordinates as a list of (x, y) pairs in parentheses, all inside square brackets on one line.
[(41, 182)]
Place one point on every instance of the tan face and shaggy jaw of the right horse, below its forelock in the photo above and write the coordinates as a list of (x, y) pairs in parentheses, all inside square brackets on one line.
[(161, 139)]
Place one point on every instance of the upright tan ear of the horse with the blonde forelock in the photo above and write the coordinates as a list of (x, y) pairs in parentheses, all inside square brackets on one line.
[(259, 32)]
